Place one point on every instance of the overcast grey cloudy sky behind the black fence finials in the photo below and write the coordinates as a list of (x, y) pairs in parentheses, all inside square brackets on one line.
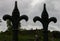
[(31, 8)]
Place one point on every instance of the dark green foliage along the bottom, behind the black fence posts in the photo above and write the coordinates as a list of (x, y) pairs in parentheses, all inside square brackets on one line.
[(28, 35)]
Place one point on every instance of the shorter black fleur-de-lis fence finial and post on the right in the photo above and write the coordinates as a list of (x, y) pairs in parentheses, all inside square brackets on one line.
[(45, 20)]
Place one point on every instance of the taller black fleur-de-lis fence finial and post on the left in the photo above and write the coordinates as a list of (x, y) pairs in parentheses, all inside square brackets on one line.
[(15, 18)]
